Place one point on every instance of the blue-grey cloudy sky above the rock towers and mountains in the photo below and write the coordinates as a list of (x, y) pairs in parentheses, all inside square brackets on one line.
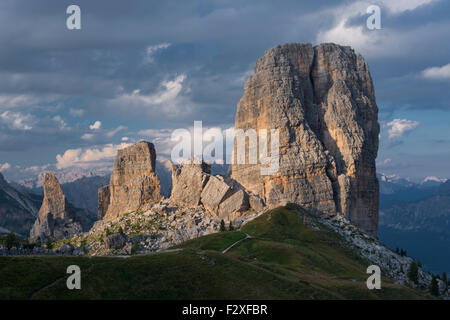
[(69, 99)]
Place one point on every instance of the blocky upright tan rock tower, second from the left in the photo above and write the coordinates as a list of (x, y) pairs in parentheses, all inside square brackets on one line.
[(133, 182)]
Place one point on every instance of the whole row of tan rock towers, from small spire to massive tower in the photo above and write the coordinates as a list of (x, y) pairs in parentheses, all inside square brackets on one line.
[(320, 99)]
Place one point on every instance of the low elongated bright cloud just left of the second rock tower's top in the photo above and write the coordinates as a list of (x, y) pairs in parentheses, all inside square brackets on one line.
[(88, 157)]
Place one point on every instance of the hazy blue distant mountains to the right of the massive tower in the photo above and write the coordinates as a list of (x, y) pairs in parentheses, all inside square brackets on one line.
[(416, 217)]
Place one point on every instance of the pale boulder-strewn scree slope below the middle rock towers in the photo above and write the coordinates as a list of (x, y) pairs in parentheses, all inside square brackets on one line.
[(157, 226)]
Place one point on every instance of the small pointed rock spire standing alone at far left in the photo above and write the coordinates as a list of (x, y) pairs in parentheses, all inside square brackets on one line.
[(57, 218)]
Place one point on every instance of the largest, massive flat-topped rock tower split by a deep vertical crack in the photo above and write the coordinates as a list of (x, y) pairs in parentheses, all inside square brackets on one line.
[(323, 103)]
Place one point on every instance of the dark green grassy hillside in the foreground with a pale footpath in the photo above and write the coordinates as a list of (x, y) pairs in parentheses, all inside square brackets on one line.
[(283, 259)]
